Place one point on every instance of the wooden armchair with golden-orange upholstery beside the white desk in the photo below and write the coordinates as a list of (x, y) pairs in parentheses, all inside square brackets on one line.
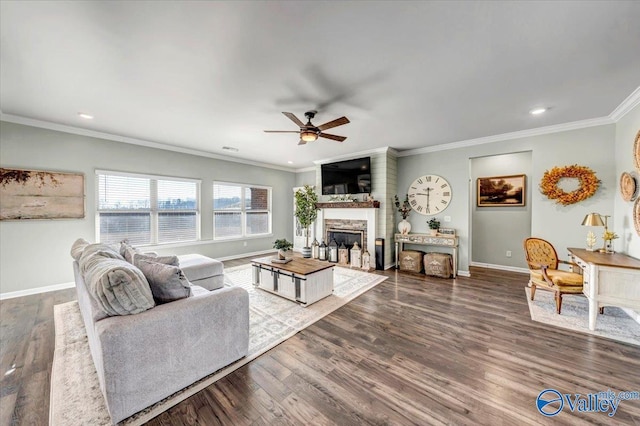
[(543, 268)]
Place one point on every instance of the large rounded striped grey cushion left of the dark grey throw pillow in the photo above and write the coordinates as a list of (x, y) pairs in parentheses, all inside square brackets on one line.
[(118, 287)]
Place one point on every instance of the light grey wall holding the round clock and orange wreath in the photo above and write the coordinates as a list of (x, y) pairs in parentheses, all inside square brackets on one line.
[(592, 147)]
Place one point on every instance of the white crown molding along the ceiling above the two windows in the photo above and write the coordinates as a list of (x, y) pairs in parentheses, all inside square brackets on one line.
[(133, 141)]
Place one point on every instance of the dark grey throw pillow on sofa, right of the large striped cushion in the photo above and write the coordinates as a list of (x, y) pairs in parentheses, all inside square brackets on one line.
[(167, 282)]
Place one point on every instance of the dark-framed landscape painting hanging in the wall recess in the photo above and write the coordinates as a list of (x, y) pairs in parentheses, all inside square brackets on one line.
[(501, 191)]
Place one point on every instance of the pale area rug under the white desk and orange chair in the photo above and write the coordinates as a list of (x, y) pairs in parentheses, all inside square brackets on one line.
[(614, 324)]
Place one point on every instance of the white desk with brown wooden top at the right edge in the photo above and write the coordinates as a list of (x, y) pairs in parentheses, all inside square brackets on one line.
[(609, 280)]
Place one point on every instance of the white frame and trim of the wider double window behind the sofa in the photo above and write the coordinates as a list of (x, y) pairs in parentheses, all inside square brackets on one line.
[(153, 210)]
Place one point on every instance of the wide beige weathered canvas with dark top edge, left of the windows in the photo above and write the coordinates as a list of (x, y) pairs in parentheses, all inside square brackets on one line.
[(38, 194)]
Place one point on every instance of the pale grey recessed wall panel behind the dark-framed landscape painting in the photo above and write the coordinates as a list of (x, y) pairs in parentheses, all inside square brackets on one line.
[(496, 230)]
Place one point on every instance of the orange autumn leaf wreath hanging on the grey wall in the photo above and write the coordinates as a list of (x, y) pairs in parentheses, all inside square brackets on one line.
[(589, 184)]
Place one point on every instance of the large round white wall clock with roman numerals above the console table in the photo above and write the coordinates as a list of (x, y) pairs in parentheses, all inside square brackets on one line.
[(429, 194)]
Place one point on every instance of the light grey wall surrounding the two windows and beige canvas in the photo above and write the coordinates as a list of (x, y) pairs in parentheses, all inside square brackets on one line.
[(35, 253)]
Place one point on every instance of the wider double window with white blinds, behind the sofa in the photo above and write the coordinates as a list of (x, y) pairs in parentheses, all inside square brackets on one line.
[(146, 209)]
